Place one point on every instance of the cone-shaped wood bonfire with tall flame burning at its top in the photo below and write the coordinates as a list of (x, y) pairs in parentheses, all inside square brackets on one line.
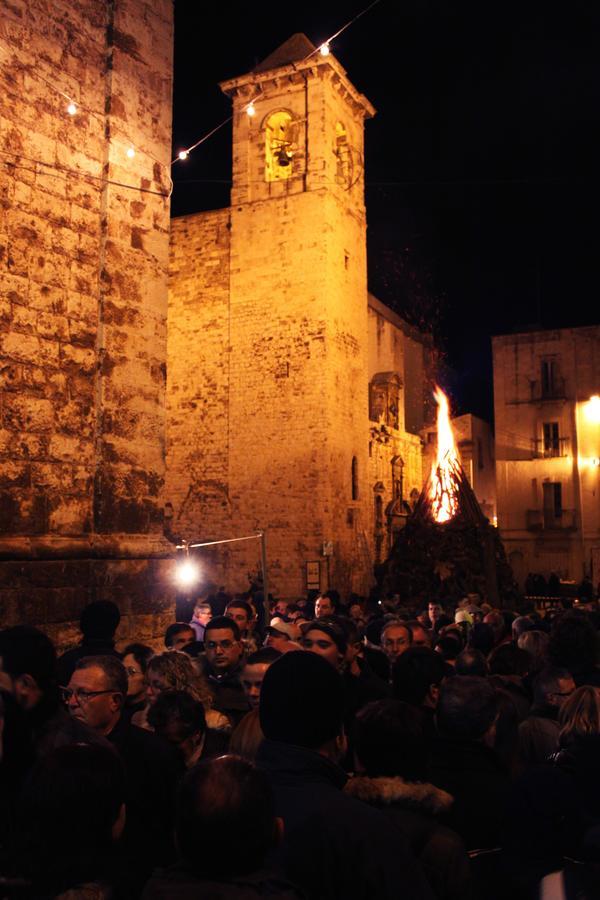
[(448, 548)]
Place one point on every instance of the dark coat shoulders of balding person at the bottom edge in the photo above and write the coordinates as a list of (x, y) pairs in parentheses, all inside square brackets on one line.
[(178, 883)]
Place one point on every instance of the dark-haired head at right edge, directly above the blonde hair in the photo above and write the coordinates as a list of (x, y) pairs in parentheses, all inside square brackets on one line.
[(574, 646)]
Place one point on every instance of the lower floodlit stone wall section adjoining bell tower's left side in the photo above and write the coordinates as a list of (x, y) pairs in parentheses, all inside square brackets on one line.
[(198, 380)]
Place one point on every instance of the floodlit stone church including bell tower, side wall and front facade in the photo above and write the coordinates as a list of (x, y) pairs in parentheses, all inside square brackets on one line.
[(294, 398)]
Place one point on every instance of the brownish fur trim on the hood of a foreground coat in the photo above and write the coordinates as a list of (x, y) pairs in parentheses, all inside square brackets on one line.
[(386, 791)]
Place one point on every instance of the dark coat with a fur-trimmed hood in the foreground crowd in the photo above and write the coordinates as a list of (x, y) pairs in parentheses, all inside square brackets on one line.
[(415, 807)]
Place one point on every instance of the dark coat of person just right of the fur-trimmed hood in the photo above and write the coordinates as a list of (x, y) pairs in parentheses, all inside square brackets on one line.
[(478, 781)]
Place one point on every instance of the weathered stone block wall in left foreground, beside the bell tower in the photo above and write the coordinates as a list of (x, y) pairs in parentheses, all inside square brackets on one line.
[(83, 301)]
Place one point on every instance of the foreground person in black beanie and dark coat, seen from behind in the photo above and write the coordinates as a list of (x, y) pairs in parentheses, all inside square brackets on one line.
[(334, 847)]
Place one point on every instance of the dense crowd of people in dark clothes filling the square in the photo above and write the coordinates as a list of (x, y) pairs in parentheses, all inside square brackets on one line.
[(305, 749)]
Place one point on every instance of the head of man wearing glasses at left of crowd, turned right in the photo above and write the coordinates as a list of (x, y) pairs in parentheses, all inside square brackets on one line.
[(96, 692)]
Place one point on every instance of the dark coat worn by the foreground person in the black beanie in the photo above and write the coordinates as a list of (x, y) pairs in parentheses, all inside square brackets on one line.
[(334, 846)]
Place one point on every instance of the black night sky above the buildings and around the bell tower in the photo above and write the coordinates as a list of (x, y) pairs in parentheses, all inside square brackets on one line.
[(482, 162)]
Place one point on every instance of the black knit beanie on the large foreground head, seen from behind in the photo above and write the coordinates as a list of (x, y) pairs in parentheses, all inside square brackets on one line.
[(301, 700)]
